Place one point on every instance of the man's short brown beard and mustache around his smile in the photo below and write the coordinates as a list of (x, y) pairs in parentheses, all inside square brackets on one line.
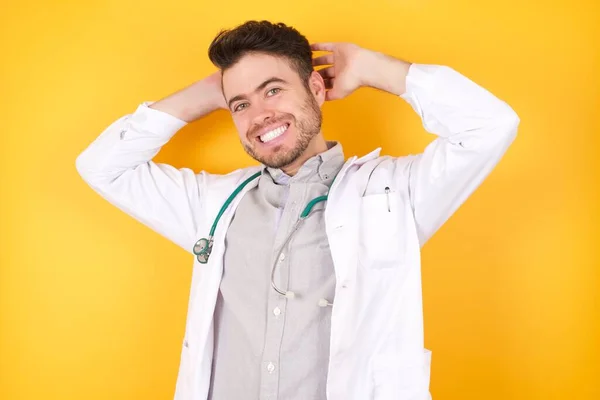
[(308, 126)]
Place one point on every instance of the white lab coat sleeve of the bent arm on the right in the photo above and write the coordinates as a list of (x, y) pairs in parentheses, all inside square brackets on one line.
[(474, 130)]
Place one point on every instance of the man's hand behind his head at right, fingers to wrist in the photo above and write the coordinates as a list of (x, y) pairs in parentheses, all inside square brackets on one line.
[(344, 76)]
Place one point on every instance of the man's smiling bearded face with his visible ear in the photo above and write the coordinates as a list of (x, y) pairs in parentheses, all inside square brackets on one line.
[(277, 117)]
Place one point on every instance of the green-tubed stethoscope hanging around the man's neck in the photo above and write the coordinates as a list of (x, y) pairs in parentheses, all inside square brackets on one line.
[(203, 247)]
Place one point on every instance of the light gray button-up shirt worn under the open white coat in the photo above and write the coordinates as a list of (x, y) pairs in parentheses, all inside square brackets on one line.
[(269, 347)]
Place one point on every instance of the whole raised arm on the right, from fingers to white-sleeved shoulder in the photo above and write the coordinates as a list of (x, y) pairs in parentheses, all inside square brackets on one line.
[(474, 127)]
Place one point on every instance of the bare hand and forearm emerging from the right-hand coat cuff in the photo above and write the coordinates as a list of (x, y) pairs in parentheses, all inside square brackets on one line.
[(354, 66)]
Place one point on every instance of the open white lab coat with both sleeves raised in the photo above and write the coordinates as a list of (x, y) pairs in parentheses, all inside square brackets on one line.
[(377, 347)]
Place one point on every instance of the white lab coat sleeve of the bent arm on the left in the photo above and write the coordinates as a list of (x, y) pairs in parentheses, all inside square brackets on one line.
[(118, 165)]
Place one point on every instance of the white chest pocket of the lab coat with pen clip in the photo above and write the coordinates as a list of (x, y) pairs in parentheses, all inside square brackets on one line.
[(381, 244)]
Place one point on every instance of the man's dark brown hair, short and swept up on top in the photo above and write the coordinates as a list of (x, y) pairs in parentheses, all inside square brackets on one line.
[(229, 46)]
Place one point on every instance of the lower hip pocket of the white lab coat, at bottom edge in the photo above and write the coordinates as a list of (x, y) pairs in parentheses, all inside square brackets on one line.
[(398, 380)]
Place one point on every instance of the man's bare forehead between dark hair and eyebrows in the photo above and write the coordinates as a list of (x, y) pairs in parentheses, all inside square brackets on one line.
[(252, 70)]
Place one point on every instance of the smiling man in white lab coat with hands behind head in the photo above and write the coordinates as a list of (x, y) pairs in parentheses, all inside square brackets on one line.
[(293, 298)]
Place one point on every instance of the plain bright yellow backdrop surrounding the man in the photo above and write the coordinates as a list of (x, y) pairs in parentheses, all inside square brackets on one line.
[(93, 304)]
